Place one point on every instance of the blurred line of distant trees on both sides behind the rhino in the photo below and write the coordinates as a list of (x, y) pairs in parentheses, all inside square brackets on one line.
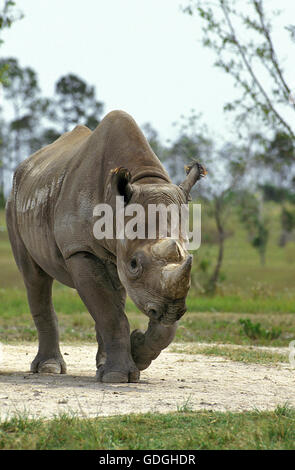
[(242, 174)]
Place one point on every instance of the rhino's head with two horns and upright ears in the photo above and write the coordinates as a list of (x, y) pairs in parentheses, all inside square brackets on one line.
[(155, 272)]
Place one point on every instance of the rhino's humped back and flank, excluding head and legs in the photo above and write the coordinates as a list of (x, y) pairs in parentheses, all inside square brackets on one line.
[(56, 189)]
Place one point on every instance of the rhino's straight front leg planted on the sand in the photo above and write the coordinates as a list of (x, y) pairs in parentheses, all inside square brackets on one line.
[(105, 303)]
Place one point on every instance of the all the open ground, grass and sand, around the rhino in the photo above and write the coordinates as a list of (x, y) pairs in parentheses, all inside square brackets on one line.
[(227, 373)]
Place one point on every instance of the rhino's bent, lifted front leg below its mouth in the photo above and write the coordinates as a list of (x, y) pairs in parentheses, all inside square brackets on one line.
[(145, 347)]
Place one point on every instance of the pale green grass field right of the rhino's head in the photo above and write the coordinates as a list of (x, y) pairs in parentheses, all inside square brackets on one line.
[(242, 270)]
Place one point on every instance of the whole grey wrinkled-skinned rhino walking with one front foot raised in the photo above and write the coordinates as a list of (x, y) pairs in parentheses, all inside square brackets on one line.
[(50, 224)]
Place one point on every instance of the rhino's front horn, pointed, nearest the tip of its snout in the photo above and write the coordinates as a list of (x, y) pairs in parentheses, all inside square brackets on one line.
[(176, 278)]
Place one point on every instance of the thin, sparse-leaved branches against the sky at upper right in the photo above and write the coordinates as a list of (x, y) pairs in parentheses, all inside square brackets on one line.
[(243, 42)]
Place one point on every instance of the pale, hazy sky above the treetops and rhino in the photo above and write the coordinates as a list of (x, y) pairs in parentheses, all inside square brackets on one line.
[(143, 56)]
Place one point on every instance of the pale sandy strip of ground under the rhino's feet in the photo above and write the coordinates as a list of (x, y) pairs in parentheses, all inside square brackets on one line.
[(172, 382)]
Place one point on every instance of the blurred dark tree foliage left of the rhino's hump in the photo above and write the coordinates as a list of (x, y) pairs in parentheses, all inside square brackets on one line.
[(37, 121)]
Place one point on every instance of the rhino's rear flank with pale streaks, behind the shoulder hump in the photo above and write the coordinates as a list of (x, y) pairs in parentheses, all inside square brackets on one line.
[(36, 188)]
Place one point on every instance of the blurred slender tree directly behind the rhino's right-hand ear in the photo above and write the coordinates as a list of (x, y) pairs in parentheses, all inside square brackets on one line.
[(225, 165)]
